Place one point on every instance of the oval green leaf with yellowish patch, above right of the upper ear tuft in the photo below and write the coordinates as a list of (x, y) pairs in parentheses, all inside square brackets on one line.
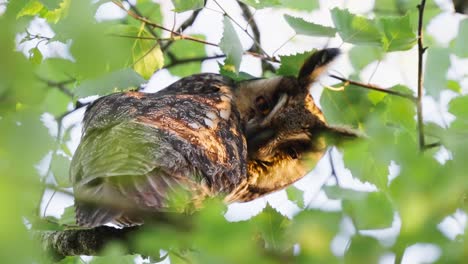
[(355, 29)]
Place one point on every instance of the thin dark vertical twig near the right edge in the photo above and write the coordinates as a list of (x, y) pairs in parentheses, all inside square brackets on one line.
[(421, 50)]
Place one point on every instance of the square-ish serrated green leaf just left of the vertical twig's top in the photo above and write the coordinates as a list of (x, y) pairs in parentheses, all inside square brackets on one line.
[(397, 33)]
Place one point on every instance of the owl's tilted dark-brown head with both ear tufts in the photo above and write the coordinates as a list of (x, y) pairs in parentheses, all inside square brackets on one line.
[(280, 116)]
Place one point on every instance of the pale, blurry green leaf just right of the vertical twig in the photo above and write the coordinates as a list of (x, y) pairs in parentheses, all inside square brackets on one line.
[(437, 64)]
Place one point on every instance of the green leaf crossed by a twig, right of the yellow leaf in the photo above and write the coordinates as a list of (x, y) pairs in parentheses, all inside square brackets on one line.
[(186, 49)]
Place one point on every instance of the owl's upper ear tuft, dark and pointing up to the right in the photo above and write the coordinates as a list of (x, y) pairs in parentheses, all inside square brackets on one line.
[(316, 64)]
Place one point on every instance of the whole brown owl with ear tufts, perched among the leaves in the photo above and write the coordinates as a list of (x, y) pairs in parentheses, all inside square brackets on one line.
[(206, 135)]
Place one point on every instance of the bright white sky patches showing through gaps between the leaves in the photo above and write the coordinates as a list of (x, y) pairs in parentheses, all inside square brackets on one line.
[(397, 68)]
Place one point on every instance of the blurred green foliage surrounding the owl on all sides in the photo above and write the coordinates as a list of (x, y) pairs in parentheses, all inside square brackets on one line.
[(121, 54)]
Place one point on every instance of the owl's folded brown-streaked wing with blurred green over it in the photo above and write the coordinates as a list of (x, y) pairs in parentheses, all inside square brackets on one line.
[(137, 148)]
